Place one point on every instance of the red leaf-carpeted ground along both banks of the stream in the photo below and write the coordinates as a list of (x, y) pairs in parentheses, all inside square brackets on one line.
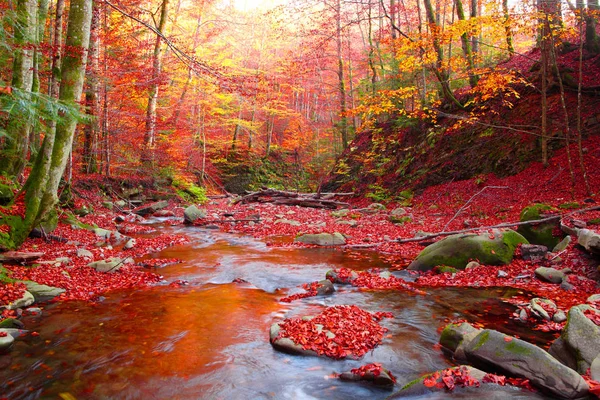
[(480, 202)]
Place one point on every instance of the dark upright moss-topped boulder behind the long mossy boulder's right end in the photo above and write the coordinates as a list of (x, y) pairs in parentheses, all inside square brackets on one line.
[(541, 233)]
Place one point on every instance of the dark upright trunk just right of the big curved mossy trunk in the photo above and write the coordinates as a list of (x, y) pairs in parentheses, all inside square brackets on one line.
[(92, 98)]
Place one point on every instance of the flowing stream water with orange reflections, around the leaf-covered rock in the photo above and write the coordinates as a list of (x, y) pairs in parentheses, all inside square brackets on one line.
[(209, 339)]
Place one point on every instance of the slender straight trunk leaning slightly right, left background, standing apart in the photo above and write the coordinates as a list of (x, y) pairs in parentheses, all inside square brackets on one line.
[(150, 135)]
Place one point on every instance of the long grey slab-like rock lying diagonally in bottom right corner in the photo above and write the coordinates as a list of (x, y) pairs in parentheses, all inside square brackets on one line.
[(494, 350)]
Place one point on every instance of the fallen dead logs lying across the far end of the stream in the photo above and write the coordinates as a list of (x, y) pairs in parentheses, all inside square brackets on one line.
[(280, 197)]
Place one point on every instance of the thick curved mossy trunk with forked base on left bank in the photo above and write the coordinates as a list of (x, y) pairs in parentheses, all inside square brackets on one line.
[(42, 185)]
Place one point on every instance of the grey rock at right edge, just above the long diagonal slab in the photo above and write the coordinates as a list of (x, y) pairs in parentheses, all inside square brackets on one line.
[(582, 336)]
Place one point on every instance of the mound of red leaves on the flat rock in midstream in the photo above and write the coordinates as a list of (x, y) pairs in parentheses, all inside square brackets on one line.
[(356, 332)]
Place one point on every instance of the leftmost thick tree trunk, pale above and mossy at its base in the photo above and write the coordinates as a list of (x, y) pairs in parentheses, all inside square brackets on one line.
[(20, 119)]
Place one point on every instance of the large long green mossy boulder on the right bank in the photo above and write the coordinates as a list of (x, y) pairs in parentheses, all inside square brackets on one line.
[(457, 250)]
